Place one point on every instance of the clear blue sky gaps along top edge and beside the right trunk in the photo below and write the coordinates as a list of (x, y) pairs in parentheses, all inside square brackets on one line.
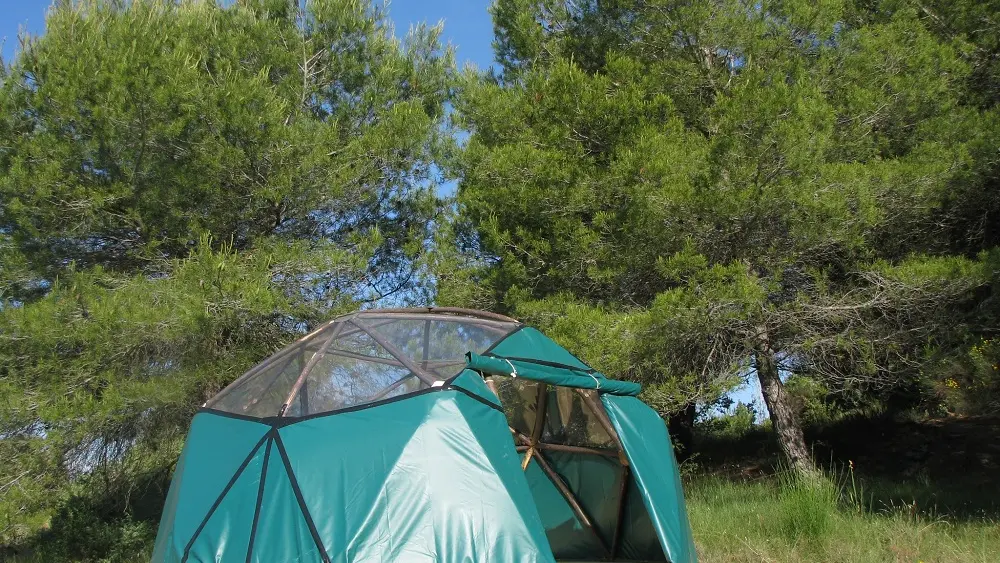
[(467, 27)]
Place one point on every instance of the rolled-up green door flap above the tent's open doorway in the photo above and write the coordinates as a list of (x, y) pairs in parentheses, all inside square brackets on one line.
[(567, 376)]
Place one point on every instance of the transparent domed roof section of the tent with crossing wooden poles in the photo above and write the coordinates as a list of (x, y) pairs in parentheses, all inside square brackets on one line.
[(360, 359)]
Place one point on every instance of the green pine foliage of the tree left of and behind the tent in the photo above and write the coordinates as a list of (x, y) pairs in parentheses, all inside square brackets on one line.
[(183, 188)]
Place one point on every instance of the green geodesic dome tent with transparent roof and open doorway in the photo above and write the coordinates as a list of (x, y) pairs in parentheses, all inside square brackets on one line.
[(425, 435)]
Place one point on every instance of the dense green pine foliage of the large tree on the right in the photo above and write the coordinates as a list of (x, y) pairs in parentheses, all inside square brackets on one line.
[(803, 186)]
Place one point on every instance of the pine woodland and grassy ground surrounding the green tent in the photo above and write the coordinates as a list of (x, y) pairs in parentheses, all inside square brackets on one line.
[(688, 194)]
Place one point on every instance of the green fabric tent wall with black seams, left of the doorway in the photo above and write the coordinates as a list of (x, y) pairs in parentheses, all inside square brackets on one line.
[(401, 492)]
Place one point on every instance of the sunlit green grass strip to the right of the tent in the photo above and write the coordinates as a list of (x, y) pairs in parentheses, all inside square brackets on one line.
[(780, 519)]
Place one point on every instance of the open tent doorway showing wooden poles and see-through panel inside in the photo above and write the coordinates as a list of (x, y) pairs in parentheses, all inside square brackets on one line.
[(576, 454)]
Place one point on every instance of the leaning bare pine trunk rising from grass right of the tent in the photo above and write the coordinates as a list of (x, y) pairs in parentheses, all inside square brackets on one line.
[(783, 417)]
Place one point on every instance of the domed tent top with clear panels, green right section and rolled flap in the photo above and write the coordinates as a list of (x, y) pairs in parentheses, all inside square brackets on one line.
[(374, 355)]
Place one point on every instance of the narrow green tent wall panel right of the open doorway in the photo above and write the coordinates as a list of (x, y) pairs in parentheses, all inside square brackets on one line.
[(646, 442)]
